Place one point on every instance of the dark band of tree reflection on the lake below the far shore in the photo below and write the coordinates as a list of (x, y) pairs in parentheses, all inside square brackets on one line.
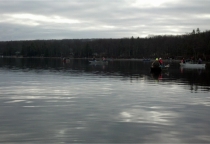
[(193, 79)]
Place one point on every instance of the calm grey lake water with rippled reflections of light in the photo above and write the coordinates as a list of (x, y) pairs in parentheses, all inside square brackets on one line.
[(47, 101)]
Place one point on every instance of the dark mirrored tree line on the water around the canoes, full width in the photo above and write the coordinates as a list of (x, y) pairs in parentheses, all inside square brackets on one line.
[(124, 68)]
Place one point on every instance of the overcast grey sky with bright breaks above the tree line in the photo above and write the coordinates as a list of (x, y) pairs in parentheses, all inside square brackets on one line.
[(78, 19)]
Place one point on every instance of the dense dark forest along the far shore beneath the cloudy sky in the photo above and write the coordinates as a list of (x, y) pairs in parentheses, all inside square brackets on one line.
[(195, 44)]
